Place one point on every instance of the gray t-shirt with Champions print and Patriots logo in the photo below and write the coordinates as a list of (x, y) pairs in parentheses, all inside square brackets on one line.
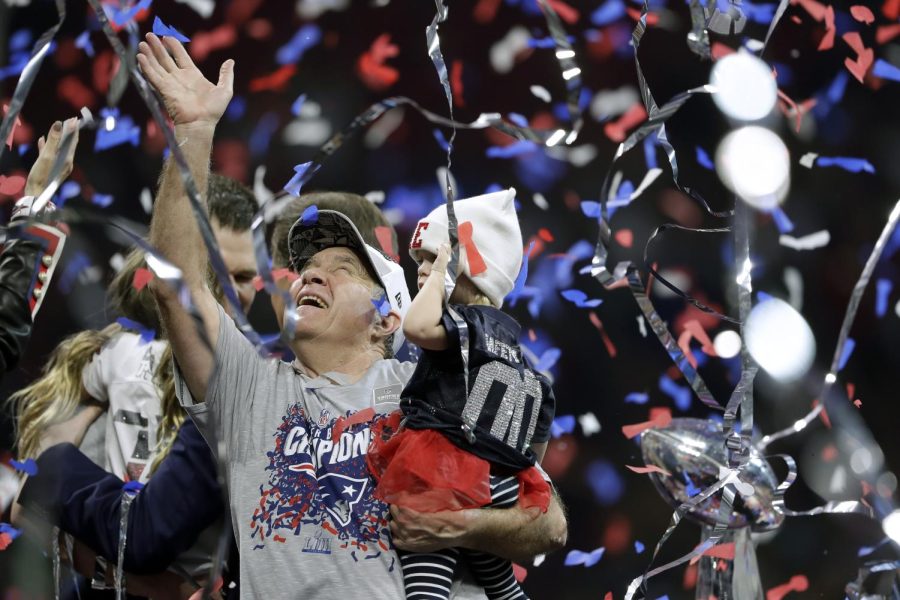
[(301, 502)]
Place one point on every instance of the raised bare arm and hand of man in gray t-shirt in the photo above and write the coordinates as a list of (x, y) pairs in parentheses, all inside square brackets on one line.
[(195, 105)]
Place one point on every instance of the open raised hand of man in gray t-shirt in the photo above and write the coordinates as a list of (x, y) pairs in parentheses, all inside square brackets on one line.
[(190, 98)]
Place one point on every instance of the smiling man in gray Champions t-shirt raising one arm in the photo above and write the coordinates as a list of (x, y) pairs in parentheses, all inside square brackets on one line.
[(296, 434)]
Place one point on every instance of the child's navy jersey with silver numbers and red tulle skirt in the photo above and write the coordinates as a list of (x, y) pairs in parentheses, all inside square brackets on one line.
[(431, 465)]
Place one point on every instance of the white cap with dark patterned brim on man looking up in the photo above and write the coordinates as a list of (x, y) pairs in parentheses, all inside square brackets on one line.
[(332, 229)]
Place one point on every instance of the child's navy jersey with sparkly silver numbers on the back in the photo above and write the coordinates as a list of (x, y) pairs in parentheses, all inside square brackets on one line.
[(511, 404)]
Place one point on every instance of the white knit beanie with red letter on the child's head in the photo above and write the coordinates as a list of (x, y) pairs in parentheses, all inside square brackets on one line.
[(495, 234)]
